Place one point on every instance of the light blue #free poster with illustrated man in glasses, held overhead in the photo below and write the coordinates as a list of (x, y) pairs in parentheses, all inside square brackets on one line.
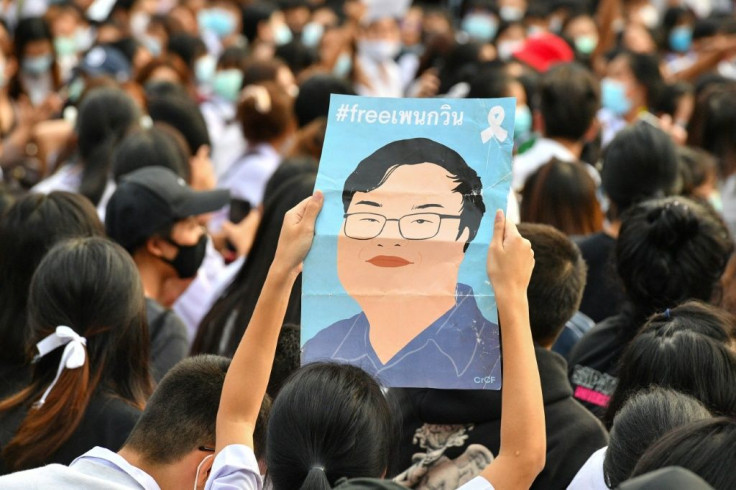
[(396, 282)]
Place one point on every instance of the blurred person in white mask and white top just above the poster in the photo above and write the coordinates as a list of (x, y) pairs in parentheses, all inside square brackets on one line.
[(378, 45)]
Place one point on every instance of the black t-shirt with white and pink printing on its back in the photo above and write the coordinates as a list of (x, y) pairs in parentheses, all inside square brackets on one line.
[(593, 361)]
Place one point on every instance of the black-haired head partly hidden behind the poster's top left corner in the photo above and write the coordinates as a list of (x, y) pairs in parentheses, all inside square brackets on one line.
[(313, 100)]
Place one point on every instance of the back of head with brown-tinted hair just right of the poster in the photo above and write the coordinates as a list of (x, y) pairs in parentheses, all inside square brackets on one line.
[(562, 194)]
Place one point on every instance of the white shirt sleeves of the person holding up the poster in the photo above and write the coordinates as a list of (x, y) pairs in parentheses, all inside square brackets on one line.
[(236, 468)]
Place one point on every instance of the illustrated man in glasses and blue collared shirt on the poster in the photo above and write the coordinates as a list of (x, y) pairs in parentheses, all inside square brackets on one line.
[(411, 209)]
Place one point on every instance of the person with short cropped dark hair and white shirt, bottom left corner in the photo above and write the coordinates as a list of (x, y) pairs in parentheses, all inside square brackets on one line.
[(158, 455)]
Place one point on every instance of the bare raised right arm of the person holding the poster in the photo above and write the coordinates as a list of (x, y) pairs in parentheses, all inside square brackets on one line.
[(523, 437)]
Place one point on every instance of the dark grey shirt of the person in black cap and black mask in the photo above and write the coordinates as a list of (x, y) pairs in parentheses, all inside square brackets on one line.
[(169, 339)]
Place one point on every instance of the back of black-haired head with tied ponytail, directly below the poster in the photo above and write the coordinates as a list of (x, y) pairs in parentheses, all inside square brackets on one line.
[(329, 421)]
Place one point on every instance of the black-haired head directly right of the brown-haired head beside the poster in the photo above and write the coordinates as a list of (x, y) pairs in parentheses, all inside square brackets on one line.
[(640, 163)]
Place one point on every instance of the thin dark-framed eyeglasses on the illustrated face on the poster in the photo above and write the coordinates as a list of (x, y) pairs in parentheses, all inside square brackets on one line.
[(420, 226)]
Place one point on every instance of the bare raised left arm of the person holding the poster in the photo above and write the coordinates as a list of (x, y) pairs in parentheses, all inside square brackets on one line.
[(247, 378)]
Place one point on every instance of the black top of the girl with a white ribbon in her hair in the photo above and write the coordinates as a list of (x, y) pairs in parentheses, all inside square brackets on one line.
[(107, 422)]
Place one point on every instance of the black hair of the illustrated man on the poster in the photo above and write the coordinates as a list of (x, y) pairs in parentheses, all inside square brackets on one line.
[(376, 168)]
